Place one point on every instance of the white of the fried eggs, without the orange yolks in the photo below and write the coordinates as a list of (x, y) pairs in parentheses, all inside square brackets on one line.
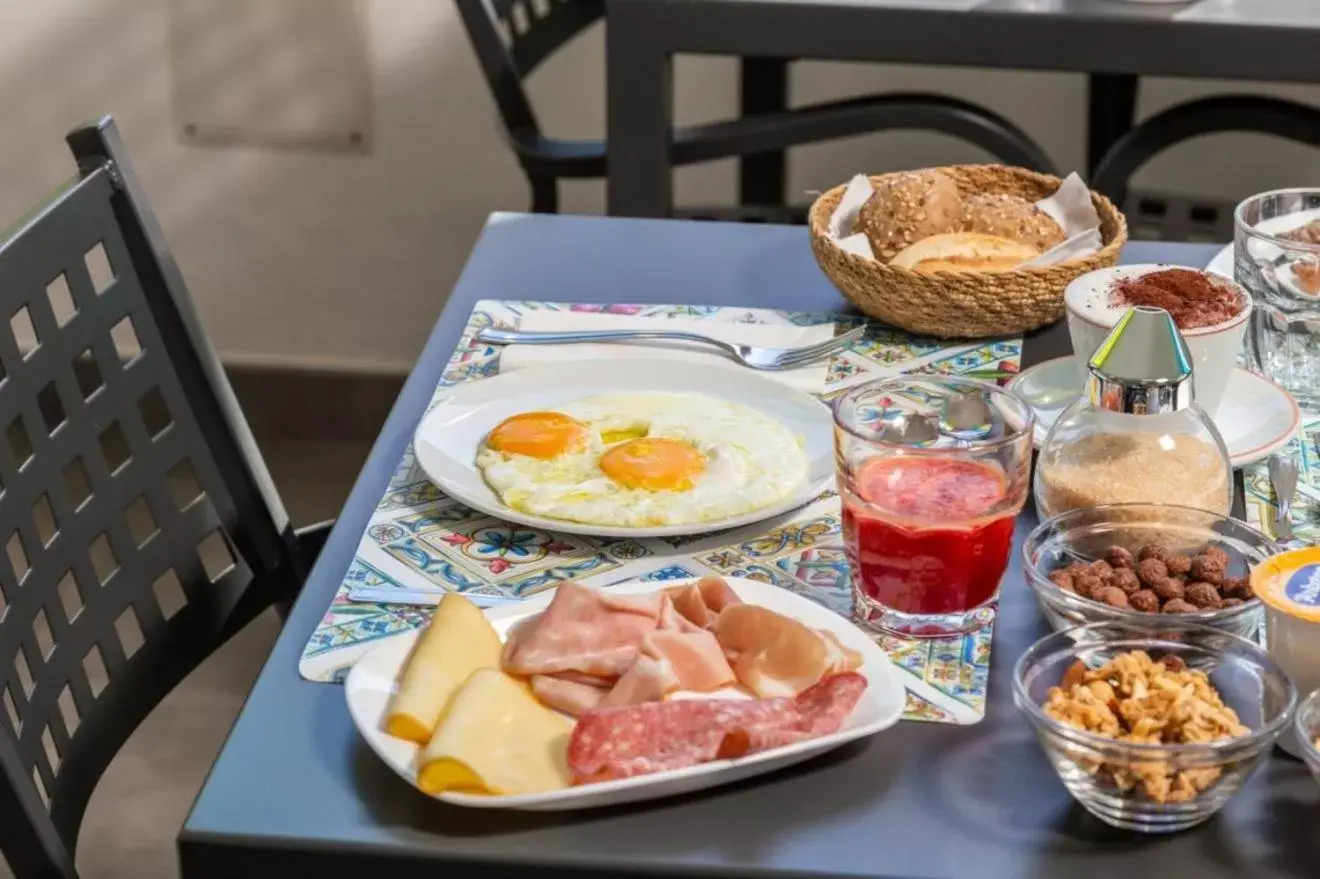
[(753, 461)]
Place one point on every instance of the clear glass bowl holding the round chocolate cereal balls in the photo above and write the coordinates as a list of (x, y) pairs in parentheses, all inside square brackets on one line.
[(1086, 535)]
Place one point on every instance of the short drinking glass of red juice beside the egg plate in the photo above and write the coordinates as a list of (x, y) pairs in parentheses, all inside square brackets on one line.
[(933, 473)]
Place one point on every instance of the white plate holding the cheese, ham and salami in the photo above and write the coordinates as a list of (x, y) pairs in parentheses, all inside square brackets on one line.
[(372, 684)]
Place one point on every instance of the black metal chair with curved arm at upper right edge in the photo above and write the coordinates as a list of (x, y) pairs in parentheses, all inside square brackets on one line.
[(1173, 217)]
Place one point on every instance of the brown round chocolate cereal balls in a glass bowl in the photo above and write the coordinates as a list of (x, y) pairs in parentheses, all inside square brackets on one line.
[(1157, 580)]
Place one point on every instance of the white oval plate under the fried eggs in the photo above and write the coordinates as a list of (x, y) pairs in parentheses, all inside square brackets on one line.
[(449, 438)]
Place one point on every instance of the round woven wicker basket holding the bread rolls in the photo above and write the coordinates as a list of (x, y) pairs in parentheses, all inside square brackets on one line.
[(964, 304)]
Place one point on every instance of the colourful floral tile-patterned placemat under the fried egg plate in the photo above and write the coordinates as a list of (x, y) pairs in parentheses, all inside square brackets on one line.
[(420, 538)]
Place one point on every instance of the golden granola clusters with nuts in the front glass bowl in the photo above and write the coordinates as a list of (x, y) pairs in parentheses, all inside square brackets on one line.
[(1136, 699)]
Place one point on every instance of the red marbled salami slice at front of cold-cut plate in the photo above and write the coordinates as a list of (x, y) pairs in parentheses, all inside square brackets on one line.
[(655, 737)]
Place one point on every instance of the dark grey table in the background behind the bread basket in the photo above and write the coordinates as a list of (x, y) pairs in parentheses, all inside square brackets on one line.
[(1259, 40)]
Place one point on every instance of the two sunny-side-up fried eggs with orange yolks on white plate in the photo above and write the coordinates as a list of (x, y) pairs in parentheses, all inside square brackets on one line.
[(642, 460)]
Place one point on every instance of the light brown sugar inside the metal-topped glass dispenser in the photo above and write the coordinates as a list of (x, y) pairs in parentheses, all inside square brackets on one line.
[(1136, 468)]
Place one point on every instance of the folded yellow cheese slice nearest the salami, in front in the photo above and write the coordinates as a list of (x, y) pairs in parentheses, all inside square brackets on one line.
[(497, 738)]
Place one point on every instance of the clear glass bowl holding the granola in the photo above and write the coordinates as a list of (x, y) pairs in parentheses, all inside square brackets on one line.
[(1091, 765)]
